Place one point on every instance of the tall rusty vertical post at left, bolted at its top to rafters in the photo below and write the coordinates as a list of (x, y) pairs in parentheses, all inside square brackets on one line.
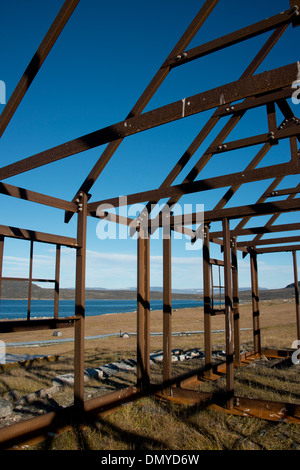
[(80, 305)]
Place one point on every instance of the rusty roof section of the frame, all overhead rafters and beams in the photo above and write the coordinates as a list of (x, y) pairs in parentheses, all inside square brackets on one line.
[(268, 89)]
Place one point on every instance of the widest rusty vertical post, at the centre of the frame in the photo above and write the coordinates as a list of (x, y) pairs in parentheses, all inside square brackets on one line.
[(143, 310)]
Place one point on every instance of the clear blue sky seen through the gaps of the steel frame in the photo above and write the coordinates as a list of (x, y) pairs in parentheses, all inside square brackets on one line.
[(98, 68)]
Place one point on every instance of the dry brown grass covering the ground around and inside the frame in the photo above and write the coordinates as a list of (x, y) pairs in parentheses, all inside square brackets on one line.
[(149, 424)]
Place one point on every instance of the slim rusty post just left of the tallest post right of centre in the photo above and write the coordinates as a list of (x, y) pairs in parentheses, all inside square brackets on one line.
[(207, 302)]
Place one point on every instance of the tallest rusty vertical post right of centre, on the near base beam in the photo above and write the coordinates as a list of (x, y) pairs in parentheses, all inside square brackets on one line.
[(228, 316)]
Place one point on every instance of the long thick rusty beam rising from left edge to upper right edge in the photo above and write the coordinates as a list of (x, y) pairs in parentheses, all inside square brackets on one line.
[(234, 91)]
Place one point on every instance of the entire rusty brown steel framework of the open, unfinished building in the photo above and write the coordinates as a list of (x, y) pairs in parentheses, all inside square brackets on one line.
[(268, 89)]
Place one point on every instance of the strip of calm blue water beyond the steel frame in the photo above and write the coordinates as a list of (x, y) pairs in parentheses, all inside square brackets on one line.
[(14, 309)]
